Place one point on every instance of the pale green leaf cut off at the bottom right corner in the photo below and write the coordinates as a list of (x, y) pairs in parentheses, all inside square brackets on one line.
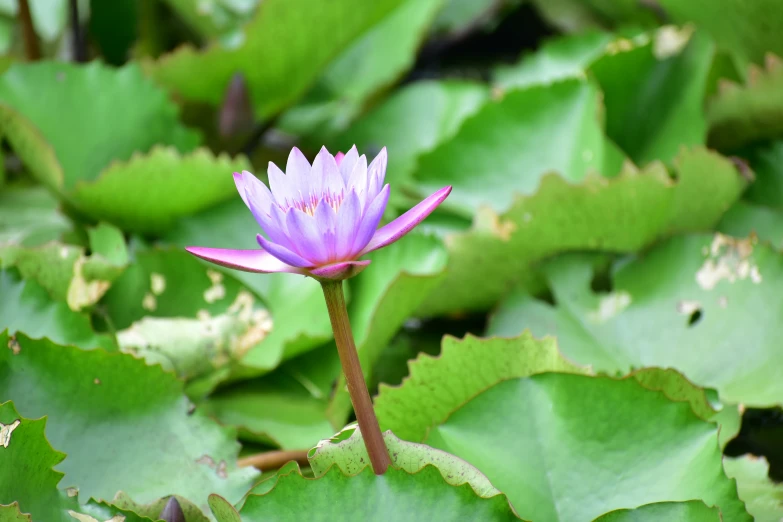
[(763, 498)]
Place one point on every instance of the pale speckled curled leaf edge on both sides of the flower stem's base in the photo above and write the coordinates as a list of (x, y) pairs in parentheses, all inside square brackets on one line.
[(350, 455)]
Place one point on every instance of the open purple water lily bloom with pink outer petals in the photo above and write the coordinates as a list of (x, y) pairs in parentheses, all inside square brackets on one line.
[(319, 220)]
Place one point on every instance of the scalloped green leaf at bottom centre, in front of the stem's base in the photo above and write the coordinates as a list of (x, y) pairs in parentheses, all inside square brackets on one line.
[(394, 496)]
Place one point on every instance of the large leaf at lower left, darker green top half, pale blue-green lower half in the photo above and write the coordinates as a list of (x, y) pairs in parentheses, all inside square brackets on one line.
[(142, 442)]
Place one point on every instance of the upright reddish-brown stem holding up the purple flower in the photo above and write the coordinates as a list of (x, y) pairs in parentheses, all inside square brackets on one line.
[(357, 388)]
